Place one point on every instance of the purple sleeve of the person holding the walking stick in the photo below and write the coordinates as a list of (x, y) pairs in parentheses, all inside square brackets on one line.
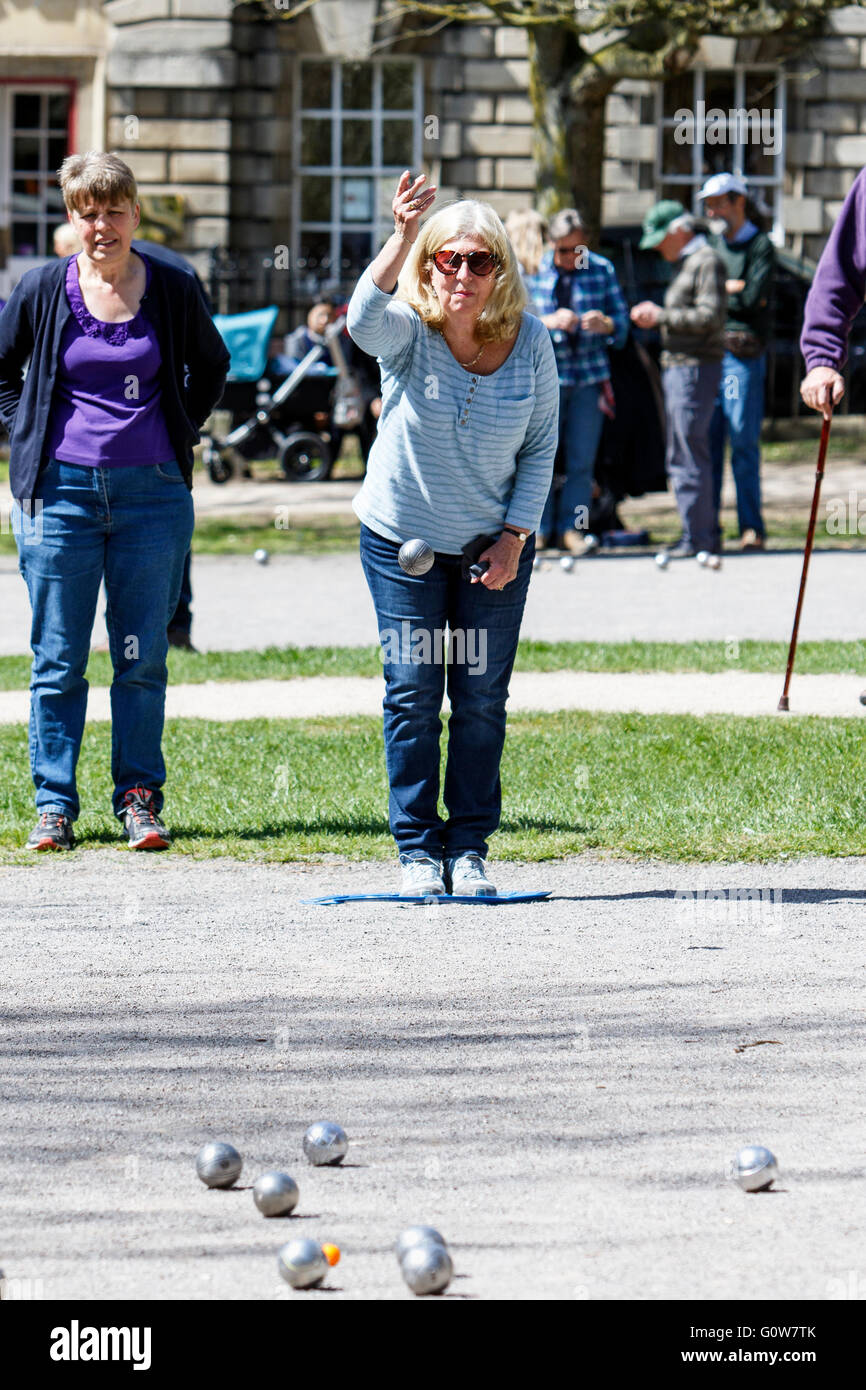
[(839, 288)]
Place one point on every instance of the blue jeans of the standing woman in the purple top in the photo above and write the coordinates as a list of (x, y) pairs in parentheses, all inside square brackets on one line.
[(133, 528)]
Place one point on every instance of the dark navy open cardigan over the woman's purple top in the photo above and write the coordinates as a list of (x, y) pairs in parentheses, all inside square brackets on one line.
[(193, 376)]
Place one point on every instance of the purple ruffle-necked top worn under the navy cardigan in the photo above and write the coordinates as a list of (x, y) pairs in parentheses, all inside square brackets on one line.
[(106, 411)]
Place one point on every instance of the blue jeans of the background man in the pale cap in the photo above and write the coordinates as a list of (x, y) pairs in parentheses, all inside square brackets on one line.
[(739, 414)]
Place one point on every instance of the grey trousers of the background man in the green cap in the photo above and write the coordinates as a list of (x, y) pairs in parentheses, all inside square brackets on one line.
[(690, 397)]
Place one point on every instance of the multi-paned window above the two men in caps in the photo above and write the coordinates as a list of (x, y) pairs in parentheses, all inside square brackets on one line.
[(715, 122)]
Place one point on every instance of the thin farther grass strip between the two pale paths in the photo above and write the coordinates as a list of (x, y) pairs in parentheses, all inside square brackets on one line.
[(290, 662)]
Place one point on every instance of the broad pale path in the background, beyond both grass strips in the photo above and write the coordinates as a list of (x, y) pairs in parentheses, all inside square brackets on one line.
[(323, 601)]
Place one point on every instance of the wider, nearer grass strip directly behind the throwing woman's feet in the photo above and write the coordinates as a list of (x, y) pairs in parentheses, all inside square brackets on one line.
[(672, 787)]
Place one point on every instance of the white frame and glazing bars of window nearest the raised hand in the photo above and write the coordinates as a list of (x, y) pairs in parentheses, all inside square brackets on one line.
[(384, 176)]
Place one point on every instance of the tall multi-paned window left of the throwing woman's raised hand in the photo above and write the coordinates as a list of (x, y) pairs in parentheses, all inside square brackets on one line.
[(358, 126)]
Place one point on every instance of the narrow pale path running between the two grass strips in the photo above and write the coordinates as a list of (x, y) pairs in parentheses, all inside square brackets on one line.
[(648, 693)]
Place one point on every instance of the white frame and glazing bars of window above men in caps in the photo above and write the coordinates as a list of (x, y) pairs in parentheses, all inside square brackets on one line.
[(771, 188)]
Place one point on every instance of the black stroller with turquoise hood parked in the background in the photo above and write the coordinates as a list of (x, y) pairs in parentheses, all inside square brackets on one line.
[(268, 422)]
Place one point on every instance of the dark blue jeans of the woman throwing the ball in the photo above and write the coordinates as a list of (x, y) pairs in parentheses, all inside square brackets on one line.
[(484, 629)]
